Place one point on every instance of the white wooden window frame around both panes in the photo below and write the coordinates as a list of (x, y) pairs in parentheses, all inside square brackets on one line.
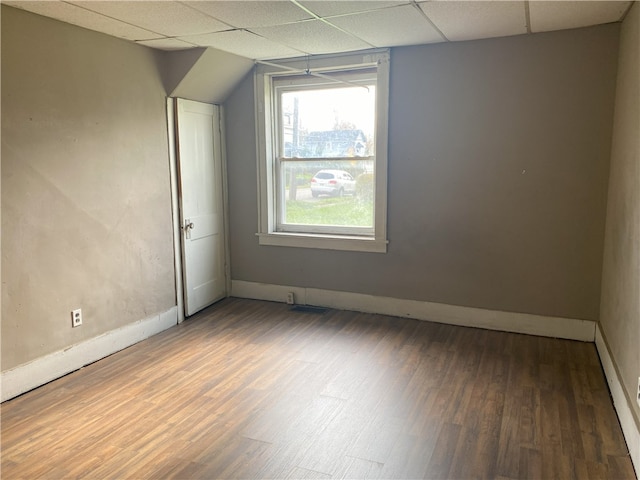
[(267, 144)]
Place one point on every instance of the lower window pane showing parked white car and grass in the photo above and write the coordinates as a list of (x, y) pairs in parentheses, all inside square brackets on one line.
[(328, 193)]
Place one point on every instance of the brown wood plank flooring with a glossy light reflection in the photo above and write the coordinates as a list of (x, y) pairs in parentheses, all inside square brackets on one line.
[(251, 389)]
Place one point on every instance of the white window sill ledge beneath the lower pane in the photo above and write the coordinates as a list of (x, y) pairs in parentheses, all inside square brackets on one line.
[(326, 242)]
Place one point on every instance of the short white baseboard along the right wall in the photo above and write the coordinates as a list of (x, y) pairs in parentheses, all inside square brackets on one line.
[(630, 428)]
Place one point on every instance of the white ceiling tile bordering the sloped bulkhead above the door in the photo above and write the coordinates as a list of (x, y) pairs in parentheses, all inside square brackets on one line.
[(243, 43)]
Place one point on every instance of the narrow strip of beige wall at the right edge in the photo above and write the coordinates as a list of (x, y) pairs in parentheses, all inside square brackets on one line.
[(620, 310)]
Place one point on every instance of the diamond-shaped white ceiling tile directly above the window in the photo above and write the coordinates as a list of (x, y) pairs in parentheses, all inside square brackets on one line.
[(312, 36)]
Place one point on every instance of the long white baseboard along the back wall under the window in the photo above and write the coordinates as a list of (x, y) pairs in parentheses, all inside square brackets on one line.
[(557, 327)]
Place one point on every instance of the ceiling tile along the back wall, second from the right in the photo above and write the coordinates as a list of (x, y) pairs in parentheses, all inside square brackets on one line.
[(477, 19)]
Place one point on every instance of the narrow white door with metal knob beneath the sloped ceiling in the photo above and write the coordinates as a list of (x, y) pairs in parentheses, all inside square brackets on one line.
[(201, 206)]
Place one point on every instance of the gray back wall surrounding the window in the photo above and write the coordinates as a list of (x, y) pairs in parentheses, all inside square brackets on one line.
[(498, 165)]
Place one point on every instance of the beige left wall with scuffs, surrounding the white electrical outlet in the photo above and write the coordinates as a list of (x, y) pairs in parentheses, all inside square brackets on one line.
[(86, 211)]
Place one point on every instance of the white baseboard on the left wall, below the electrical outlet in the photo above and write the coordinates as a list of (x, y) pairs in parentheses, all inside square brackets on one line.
[(26, 377)]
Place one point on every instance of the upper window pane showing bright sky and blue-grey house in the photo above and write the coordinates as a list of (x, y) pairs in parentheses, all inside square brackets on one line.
[(326, 122)]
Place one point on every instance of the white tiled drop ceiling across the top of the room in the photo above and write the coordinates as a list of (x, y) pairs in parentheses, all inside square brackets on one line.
[(289, 28)]
